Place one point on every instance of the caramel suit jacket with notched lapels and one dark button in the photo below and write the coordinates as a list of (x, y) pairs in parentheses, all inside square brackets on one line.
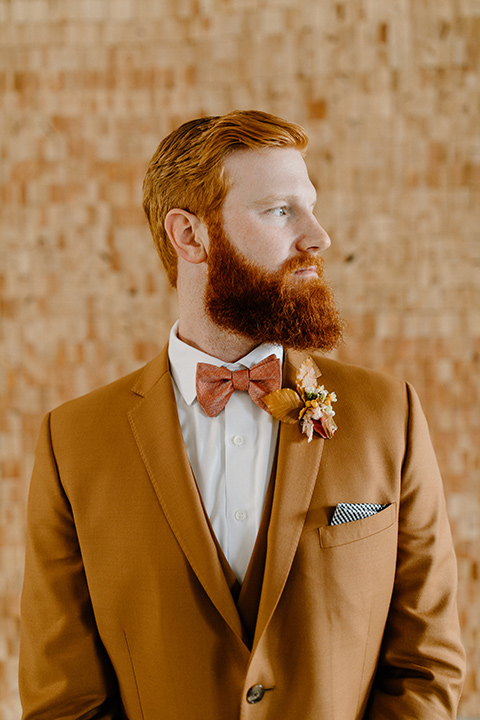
[(126, 609)]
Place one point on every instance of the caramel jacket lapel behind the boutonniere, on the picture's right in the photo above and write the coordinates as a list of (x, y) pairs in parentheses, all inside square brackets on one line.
[(297, 470)]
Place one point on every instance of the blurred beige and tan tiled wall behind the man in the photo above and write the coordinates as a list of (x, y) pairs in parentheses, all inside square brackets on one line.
[(389, 91)]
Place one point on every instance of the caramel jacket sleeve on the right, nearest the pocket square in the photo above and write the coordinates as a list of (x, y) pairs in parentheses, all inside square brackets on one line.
[(421, 667)]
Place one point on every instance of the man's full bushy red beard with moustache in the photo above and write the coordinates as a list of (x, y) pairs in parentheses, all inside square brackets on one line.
[(270, 307)]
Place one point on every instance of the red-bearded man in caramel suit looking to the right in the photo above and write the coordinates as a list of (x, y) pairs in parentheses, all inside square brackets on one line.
[(191, 556)]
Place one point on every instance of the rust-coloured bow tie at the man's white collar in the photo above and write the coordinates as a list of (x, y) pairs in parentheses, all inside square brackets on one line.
[(215, 385)]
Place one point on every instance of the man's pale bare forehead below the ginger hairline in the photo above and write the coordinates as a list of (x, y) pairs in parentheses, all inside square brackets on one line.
[(276, 172)]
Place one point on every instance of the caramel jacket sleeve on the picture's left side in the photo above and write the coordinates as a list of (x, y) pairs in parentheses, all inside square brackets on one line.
[(64, 670)]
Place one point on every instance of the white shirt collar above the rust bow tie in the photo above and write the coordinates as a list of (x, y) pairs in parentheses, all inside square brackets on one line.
[(183, 359)]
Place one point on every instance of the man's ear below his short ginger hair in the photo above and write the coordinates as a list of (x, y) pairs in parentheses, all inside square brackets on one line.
[(188, 235)]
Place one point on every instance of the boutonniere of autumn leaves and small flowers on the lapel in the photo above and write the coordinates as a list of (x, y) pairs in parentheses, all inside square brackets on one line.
[(311, 405)]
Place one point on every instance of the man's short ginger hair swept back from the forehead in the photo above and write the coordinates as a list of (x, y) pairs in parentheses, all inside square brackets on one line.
[(187, 169)]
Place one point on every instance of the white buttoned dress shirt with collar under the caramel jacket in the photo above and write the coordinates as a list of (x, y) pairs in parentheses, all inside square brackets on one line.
[(231, 455)]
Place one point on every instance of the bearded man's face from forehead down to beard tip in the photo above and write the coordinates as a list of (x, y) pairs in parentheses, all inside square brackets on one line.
[(264, 271)]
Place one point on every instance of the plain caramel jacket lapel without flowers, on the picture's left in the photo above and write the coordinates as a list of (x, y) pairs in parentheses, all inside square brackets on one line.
[(155, 425)]
